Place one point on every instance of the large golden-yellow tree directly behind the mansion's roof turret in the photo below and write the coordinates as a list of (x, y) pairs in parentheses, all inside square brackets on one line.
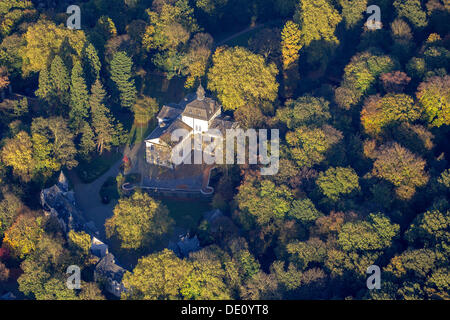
[(240, 77)]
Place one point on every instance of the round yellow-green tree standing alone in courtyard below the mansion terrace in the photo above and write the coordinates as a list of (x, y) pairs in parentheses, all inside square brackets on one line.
[(137, 221)]
